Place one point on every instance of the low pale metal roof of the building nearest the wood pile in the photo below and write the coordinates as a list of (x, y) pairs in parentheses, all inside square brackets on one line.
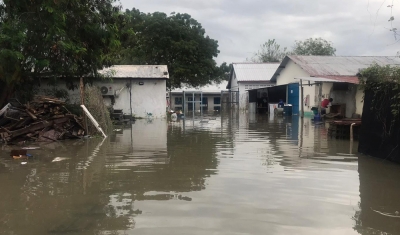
[(137, 71)]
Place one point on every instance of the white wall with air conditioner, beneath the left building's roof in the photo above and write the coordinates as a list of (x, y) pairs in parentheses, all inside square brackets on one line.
[(147, 98)]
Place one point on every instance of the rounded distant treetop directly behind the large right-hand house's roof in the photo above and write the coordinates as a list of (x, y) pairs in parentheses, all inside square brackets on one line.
[(313, 46)]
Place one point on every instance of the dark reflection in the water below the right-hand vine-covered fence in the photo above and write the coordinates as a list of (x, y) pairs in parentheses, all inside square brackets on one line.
[(379, 190)]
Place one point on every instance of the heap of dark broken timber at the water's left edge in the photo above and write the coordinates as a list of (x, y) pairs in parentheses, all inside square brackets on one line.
[(45, 119)]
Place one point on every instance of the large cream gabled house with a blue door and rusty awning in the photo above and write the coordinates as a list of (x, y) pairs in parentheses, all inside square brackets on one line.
[(310, 79)]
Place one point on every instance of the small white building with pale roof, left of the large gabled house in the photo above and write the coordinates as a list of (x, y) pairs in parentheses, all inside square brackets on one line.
[(248, 76)]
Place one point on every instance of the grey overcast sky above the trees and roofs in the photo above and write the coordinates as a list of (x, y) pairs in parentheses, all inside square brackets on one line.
[(355, 27)]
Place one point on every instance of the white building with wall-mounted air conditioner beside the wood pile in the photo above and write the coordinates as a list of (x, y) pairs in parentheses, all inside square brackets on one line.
[(136, 89)]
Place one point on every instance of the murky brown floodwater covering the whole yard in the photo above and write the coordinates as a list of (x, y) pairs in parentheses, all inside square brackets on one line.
[(229, 174)]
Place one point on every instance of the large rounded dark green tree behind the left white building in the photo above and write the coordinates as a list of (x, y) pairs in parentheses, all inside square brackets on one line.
[(177, 40)]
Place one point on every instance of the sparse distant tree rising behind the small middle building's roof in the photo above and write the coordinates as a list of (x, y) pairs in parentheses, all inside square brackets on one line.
[(270, 52)]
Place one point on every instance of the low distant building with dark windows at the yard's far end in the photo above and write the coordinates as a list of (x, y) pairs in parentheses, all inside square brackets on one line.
[(211, 97)]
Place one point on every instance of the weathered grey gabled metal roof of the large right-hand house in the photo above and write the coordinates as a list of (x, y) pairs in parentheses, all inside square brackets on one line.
[(341, 68)]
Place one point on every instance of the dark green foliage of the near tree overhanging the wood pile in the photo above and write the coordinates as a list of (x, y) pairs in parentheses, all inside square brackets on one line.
[(57, 38)]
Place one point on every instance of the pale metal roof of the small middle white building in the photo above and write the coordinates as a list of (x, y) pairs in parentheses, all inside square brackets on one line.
[(246, 72)]
